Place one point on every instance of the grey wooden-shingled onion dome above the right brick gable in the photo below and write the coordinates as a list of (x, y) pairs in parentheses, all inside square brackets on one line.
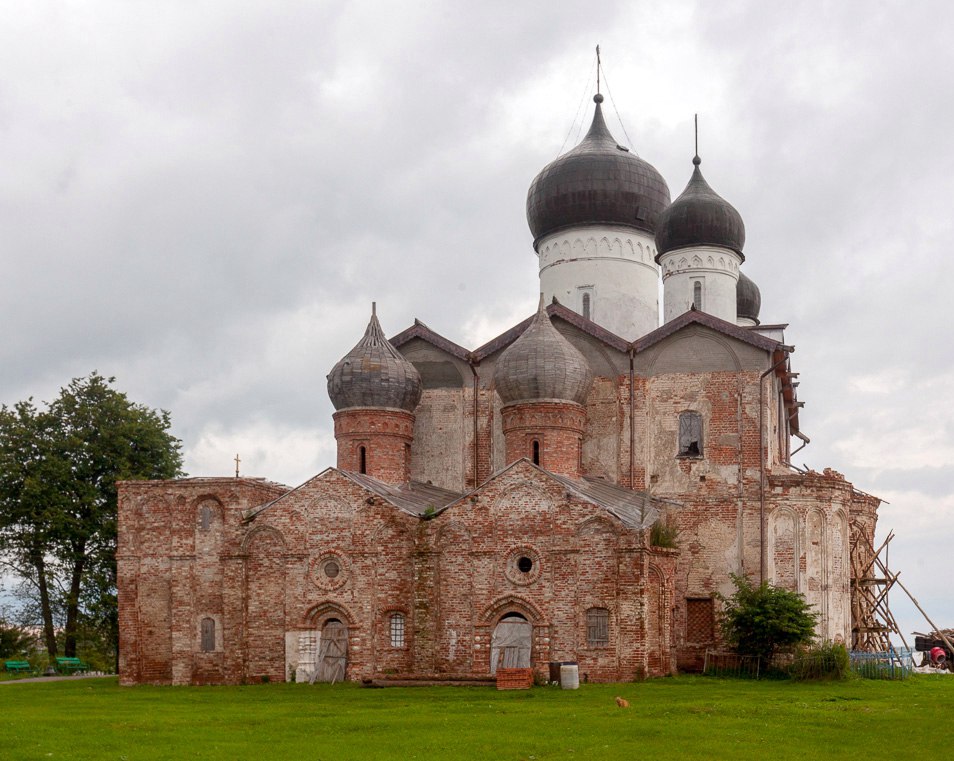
[(542, 364)]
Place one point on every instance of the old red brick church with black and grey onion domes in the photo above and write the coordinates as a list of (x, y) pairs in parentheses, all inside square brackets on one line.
[(579, 489)]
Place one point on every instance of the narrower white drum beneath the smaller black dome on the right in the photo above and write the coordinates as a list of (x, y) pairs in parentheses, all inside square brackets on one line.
[(715, 268)]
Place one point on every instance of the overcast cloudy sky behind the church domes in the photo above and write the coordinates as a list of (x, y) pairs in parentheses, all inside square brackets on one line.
[(203, 198)]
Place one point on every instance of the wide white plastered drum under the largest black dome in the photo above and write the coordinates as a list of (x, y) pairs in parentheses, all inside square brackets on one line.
[(614, 266)]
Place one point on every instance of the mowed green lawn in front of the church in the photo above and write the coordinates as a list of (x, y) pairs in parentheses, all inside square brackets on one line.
[(684, 718)]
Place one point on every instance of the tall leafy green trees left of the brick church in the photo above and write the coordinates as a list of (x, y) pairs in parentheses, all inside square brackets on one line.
[(58, 501)]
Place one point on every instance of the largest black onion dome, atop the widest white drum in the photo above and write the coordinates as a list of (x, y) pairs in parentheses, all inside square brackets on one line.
[(598, 182)]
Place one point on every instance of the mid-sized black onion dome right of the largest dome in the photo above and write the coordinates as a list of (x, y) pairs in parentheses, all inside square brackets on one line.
[(699, 217)]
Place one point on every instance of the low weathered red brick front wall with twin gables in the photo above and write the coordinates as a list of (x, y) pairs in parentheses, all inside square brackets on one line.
[(264, 580)]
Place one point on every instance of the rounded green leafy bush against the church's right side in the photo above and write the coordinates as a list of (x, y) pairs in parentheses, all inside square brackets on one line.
[(763, 620)]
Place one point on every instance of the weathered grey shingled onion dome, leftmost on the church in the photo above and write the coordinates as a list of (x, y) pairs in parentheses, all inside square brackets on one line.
[(374, 374)]
